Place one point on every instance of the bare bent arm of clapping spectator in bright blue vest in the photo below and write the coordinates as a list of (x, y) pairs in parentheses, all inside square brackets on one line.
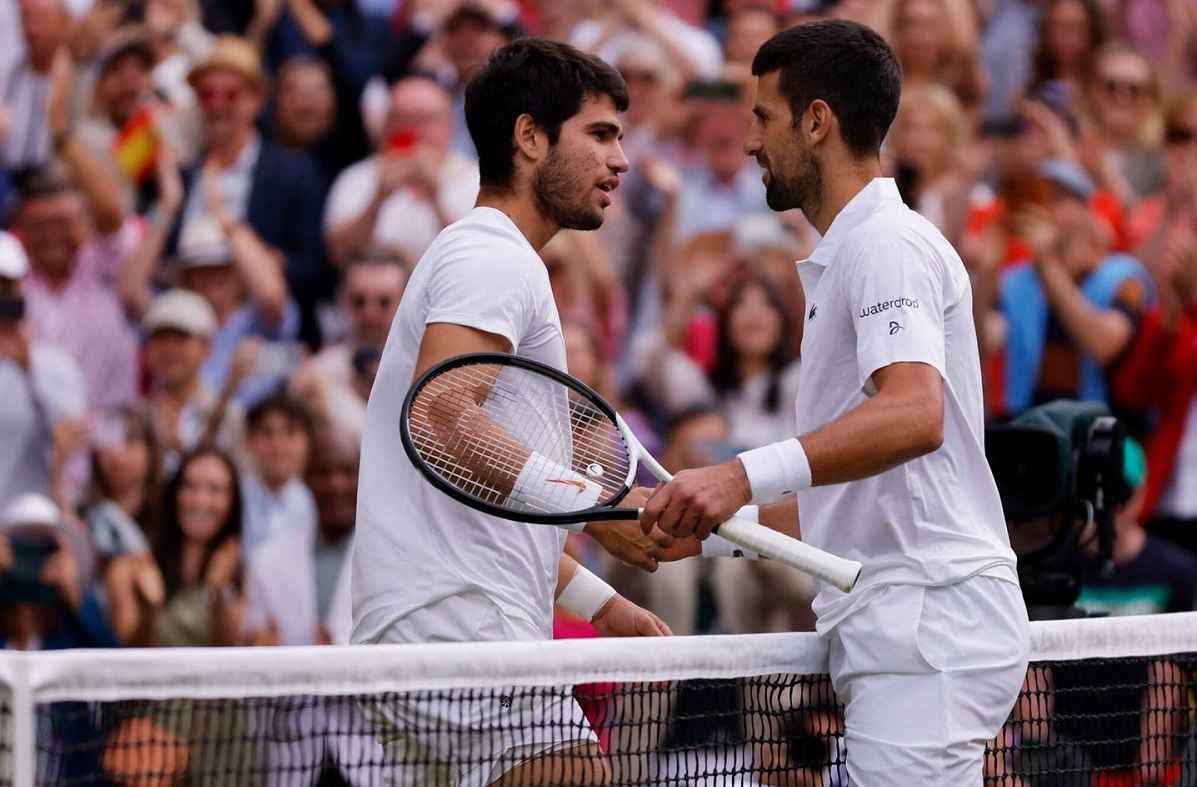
[(1101, 334)]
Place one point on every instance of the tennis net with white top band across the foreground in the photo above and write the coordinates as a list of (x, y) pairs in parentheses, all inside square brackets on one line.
[(1108, 703)]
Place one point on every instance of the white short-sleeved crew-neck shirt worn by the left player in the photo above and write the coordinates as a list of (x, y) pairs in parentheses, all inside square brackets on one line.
[(414, 544)]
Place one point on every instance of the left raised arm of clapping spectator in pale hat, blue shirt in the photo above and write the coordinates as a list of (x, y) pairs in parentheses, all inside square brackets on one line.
[(135, 280)]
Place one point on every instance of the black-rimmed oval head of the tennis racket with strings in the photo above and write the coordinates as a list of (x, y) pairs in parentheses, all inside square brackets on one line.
[(531, 401)]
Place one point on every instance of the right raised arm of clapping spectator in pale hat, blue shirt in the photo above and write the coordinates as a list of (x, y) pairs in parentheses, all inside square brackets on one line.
[(259, 265)]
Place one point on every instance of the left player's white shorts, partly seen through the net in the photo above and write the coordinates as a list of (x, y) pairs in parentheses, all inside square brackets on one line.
[(471, 737)]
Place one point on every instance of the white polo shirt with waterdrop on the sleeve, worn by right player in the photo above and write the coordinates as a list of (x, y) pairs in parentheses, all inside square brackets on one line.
[(884, 287)]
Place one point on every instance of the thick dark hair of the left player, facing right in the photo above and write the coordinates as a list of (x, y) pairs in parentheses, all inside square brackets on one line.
[(545, 80)]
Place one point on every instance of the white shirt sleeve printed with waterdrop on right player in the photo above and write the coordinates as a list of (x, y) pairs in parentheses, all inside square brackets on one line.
[(897, 300)]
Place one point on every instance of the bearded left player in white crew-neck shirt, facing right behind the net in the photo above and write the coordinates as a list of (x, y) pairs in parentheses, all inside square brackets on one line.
[(545, 119)]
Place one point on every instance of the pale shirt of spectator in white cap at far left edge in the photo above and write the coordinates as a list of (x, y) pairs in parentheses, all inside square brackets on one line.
[(31, 404)]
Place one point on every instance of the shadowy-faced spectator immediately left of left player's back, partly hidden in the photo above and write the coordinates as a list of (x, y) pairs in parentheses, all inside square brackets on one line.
[(333, 480)]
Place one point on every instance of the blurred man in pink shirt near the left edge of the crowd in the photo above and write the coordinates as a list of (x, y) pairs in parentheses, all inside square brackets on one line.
[(75, 263)]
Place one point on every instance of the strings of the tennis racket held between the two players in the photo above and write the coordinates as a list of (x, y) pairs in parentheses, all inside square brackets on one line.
[(476, 426)]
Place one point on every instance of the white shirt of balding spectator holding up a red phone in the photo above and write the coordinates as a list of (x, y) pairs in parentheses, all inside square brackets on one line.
[(406, 222)]
